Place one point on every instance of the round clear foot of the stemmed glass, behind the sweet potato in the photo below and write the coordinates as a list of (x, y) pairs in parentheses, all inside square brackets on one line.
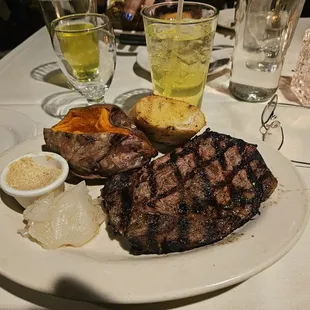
[(58, 105)]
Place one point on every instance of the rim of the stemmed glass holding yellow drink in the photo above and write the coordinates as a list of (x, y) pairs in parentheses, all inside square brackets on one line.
[(56, 21)]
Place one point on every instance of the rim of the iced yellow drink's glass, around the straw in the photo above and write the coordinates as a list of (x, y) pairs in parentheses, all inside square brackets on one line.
[(147, 9)]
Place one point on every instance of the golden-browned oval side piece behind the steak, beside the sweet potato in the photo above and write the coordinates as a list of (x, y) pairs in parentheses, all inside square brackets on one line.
[(167, 120)]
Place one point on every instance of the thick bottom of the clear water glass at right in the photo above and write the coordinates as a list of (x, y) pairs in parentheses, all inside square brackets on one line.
[(251, 93)]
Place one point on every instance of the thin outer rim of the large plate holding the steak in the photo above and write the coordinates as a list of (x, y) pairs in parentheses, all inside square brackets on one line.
[(177, 293)]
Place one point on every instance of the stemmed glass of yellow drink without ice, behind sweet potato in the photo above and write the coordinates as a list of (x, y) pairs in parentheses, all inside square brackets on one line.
[(85, 48)]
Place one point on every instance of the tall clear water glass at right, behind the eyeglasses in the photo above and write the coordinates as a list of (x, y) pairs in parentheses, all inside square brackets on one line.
[(264, 29)]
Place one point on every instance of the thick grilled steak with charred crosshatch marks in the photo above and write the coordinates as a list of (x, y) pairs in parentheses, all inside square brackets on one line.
[(195, 195)]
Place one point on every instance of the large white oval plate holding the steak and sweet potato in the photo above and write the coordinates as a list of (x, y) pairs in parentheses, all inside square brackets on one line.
[(107, 272)]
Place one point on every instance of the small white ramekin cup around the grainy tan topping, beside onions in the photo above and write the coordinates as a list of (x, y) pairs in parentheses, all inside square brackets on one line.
[(27, 197)]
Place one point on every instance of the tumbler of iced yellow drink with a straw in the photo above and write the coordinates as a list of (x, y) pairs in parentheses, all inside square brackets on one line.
[(180, 49)]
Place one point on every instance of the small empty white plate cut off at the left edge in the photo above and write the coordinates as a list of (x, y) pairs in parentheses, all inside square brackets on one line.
[(15, 127)]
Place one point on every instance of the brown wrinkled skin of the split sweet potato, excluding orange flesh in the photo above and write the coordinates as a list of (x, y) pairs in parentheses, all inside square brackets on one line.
[(102, 154)]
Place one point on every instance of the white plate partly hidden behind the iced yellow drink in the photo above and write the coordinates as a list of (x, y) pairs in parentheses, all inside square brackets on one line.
[(143, 59)]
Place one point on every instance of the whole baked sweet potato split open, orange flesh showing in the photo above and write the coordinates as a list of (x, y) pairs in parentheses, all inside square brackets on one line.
[(99, 141)]
